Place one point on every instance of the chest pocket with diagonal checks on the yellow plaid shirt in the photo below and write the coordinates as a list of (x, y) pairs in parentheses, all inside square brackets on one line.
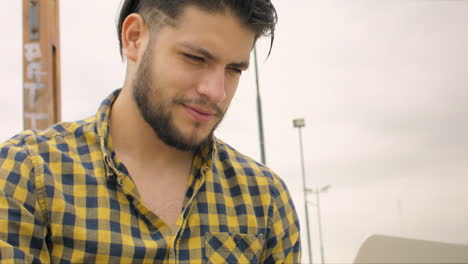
[(222, 247)]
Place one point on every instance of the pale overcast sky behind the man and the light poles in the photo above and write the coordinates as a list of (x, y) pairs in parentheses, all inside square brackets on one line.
[(382, 85)]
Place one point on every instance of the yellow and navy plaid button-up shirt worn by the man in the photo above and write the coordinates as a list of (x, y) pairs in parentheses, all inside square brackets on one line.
[(65, 198)]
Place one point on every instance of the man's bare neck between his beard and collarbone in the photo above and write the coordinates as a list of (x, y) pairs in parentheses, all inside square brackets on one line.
[(135, 141)]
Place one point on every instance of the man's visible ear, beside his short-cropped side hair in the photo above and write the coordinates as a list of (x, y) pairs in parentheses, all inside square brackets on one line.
[(134, 36)]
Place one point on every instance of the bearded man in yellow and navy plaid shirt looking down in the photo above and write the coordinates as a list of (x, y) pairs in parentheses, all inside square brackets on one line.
[(145, 180)]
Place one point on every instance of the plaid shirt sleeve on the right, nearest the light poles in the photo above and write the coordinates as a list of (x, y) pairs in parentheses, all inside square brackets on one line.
[(283, 238)]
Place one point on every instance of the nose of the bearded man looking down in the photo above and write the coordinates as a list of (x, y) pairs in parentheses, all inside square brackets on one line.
[(212, 87)]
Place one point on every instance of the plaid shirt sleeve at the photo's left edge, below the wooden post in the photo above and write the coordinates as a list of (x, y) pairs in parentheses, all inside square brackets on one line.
[(22, 226)]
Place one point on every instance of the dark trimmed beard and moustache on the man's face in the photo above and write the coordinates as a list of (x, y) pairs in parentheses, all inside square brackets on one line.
[(157, 110)]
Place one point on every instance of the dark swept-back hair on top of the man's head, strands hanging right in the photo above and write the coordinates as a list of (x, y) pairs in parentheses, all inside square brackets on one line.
[(258, 15)]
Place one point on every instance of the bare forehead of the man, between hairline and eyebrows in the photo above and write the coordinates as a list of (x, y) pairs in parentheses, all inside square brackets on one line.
[(221, 33)]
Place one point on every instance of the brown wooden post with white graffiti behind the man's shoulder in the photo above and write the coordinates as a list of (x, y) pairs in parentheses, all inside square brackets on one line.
[(41, 60)]
